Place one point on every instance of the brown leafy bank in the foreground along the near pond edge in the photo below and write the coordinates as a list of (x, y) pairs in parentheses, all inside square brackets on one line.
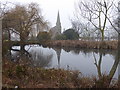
[(25, 76)]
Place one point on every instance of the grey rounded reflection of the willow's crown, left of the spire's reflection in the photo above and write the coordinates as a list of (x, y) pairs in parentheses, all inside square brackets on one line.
[(39, 59)]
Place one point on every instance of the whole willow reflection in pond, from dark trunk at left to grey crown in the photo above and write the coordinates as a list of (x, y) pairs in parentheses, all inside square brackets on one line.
[(34, 58)]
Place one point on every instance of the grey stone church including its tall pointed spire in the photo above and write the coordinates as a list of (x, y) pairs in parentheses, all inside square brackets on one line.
[(56, 30)]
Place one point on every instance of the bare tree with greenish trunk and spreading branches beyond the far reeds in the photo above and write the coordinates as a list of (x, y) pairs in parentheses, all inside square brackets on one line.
[(96, 12)]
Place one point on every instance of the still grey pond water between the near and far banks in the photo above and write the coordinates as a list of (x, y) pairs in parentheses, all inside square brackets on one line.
[(73, 59)]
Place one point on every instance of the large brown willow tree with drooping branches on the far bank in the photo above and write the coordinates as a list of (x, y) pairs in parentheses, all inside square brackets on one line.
[(21, 20)]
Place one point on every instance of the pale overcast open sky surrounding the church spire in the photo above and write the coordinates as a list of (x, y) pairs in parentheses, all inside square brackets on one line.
[(50, 9)]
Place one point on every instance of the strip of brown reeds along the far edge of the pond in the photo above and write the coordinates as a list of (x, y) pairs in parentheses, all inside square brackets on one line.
[(83, 44)]
